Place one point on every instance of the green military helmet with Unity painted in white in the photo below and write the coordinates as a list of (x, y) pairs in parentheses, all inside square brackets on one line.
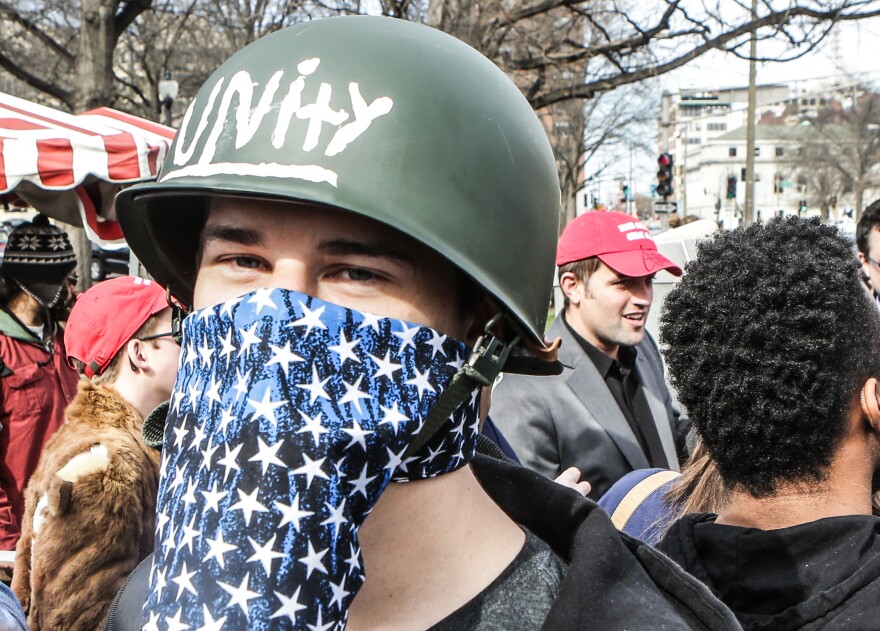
[(389, 119)]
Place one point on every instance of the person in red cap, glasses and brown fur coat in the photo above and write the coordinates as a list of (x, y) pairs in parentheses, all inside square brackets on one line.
[(90, 505)]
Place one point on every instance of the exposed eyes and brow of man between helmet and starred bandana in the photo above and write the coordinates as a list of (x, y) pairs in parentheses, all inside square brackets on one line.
[(332, 255)]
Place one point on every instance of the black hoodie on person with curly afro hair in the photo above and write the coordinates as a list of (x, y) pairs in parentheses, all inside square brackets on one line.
[(820, 575)]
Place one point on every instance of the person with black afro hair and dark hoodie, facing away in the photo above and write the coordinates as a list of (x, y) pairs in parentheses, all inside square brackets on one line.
[(774, 348)]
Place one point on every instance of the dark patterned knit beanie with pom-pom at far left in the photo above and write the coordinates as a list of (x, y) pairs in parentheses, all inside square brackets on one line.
[(38, 258)]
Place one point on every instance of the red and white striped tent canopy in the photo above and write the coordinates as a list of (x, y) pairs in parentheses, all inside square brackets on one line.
[(70, 167)]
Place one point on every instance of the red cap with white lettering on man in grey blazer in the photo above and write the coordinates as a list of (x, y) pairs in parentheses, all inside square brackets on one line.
[(620, 241)]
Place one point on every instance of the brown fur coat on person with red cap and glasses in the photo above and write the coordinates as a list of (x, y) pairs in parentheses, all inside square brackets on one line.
[(89, 514)]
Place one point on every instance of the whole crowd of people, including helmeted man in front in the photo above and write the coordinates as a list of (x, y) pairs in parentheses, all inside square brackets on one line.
[(336, 406)]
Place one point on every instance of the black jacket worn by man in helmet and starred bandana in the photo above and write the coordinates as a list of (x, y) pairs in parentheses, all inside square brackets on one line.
[(613, 581)]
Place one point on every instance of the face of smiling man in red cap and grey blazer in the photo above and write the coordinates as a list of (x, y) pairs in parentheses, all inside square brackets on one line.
[(610, 309)]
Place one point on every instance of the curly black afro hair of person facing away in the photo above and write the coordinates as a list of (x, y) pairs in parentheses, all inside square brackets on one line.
[(769, 336)]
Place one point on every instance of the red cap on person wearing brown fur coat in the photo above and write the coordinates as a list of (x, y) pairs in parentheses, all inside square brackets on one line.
[(106, 316)]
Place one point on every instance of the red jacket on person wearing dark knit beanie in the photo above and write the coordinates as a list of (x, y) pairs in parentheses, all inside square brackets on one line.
[(32, 403)]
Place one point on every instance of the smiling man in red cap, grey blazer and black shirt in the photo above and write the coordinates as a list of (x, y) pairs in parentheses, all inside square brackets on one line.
[(610, 411)]
